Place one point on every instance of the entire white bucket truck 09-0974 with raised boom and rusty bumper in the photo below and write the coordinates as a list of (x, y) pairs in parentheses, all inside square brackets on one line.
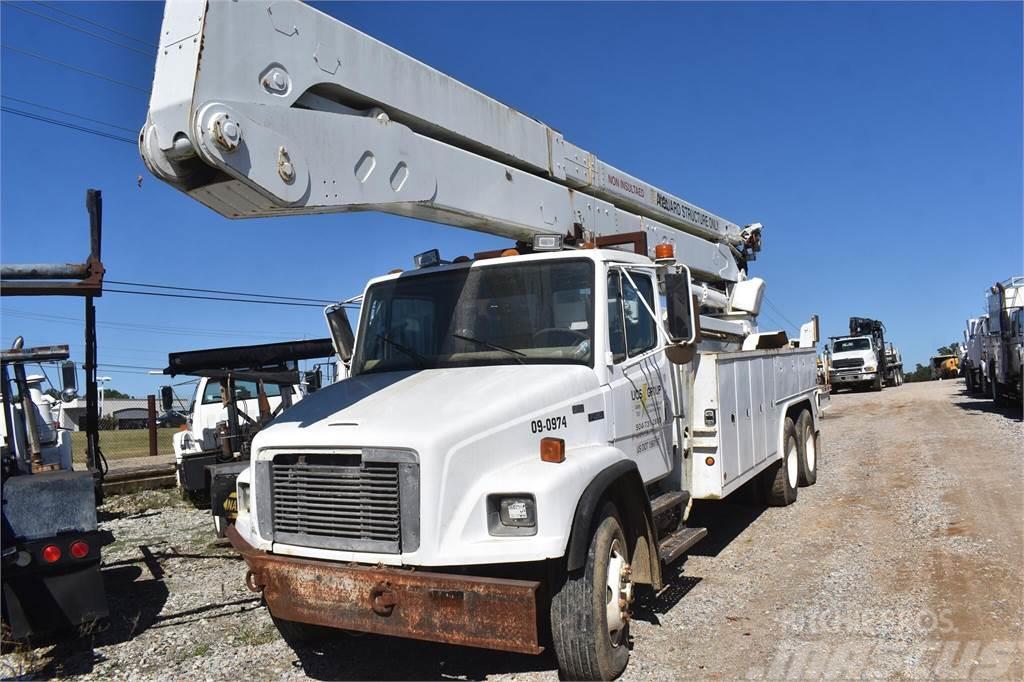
[(523, 434)]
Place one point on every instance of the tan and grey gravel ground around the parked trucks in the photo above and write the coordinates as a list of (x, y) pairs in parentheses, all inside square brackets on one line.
[(906, 562)]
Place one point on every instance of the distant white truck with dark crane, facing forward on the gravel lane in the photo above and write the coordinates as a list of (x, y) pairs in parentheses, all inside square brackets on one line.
[(864, 359)]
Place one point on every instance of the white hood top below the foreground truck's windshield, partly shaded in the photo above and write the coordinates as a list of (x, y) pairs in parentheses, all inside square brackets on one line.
[(426, 410)]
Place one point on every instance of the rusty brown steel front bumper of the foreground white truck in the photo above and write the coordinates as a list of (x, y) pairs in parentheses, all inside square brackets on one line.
[(442, 608)]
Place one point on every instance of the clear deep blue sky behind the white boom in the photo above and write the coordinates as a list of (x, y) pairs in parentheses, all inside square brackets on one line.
[(881, 146)]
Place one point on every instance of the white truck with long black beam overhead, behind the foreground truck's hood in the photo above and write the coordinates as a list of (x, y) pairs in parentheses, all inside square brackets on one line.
[(240, 391)]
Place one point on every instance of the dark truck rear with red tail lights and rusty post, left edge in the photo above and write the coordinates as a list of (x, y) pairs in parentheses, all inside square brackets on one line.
[(52, 543)]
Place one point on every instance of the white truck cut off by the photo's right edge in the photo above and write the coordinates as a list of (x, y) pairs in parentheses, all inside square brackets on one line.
[(1004, 347)]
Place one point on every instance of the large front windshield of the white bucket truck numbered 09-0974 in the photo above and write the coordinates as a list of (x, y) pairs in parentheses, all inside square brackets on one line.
[(529, 314)]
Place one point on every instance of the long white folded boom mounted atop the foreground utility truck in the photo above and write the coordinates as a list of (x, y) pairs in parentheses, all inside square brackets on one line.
[(268, 109)]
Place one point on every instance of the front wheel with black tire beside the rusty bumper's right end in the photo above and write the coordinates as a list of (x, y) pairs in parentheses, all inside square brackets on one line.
[(590, 611)]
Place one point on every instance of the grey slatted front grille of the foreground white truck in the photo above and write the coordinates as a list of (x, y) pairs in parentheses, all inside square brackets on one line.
[(336, 502)]
